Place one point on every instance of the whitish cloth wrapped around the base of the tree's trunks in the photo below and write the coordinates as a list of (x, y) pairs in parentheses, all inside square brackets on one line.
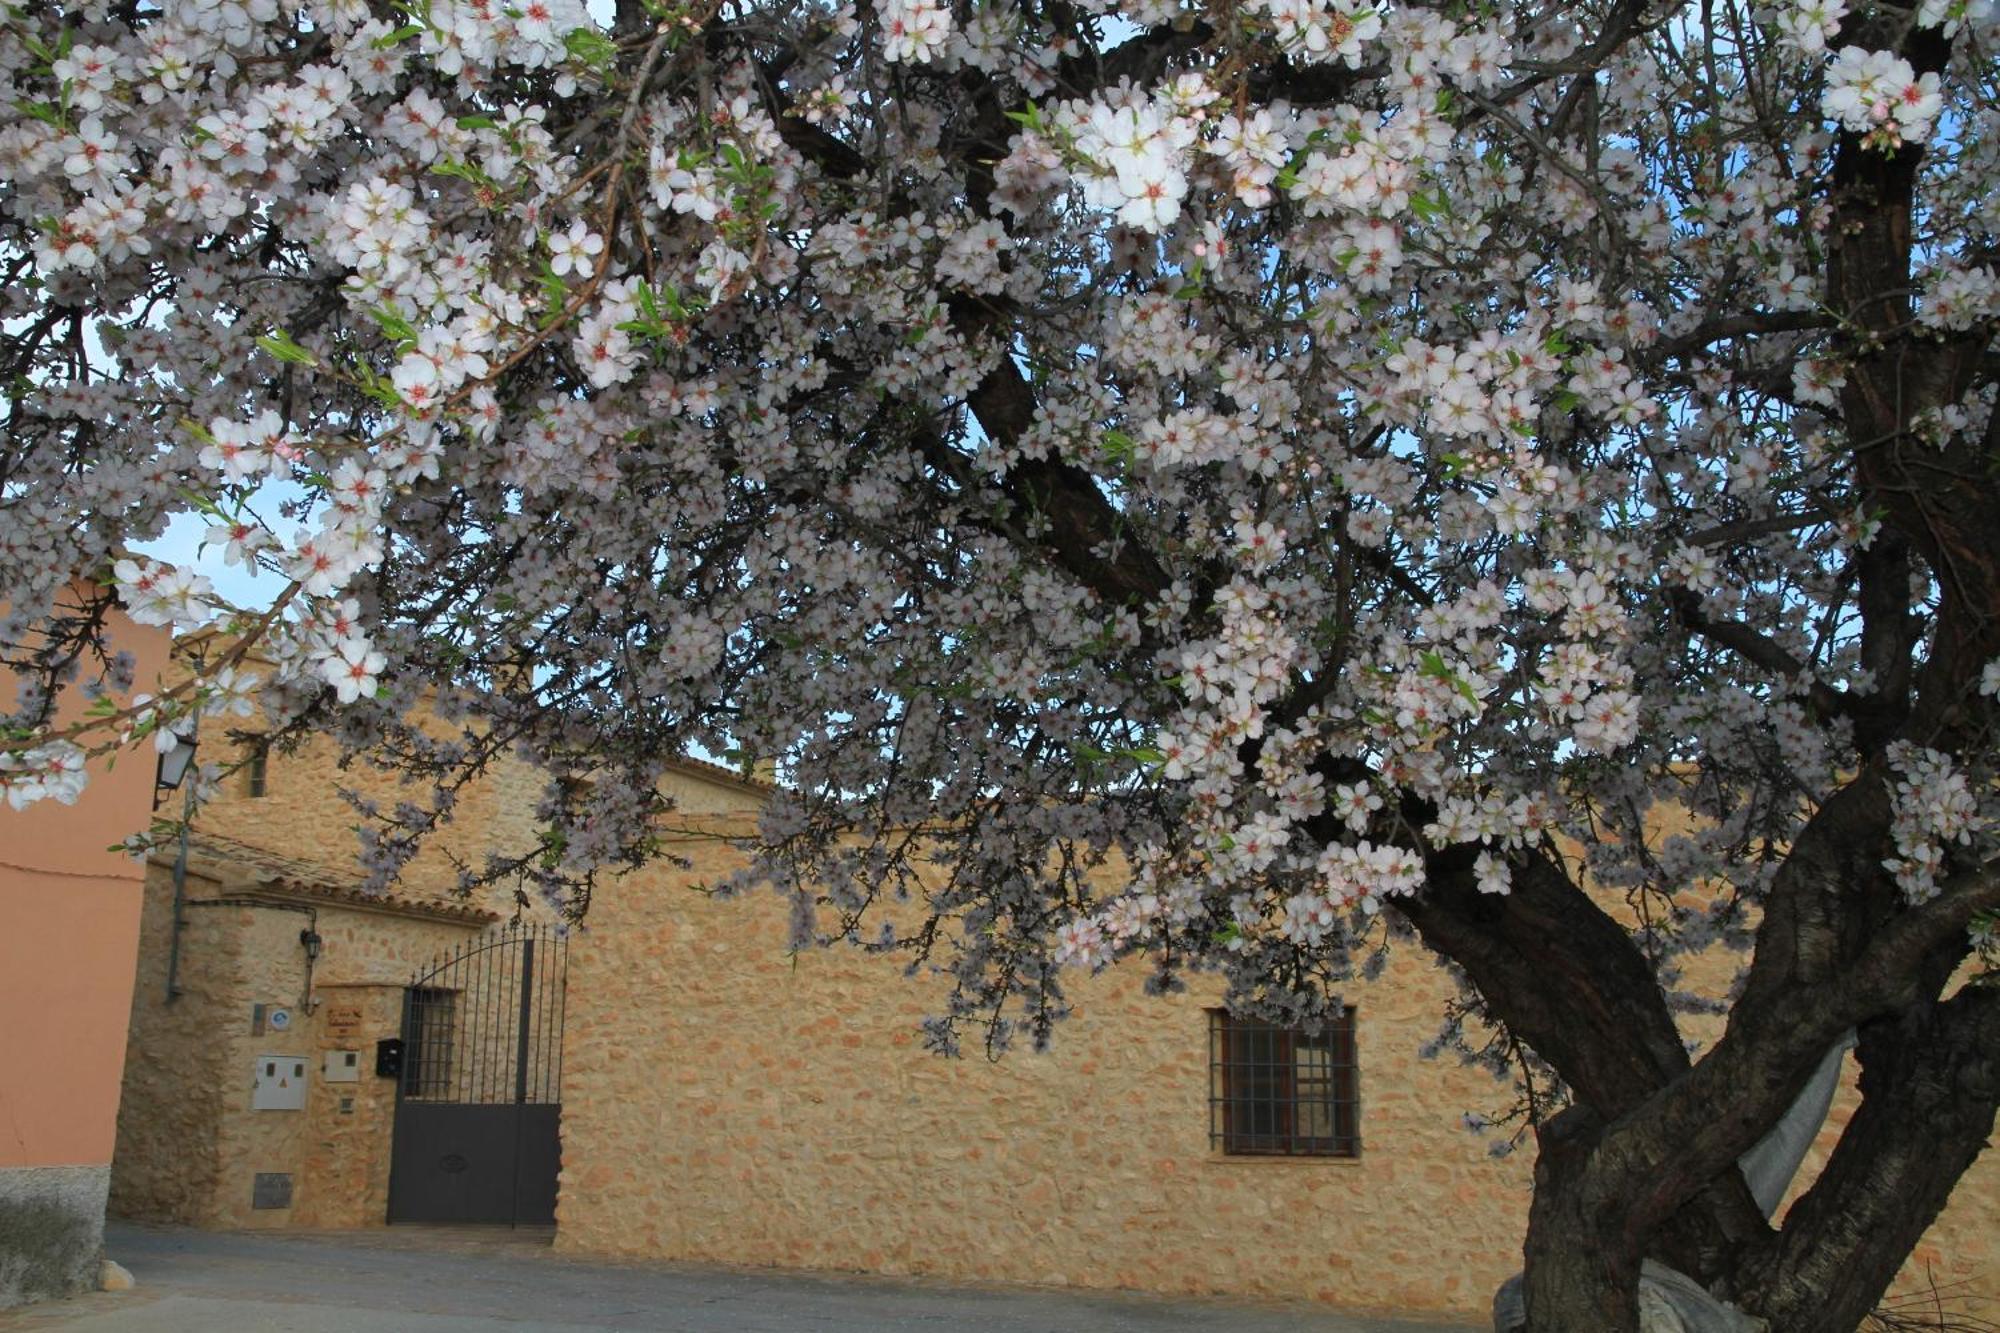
[(1671, 1302)]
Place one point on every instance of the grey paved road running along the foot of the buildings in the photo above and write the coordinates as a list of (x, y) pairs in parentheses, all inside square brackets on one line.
[(495, 1282)]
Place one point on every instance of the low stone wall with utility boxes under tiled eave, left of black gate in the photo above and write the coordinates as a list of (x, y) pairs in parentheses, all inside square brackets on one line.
[(189, 1142)]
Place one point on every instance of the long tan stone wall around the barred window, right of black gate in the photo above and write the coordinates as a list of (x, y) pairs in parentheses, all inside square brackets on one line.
[(727, 1102)]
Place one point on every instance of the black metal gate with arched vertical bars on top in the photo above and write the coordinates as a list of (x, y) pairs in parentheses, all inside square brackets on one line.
[(479, 1104)]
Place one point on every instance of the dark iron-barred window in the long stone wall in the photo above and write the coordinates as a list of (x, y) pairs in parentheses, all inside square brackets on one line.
[(1283, 1090)]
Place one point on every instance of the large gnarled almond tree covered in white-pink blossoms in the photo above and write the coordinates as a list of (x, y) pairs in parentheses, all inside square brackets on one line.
[(1353, 465)]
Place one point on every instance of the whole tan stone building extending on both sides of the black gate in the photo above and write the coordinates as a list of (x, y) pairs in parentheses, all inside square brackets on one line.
[(729, 1102)]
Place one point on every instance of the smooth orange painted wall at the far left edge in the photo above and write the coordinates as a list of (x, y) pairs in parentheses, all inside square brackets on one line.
[(69, 944)]
